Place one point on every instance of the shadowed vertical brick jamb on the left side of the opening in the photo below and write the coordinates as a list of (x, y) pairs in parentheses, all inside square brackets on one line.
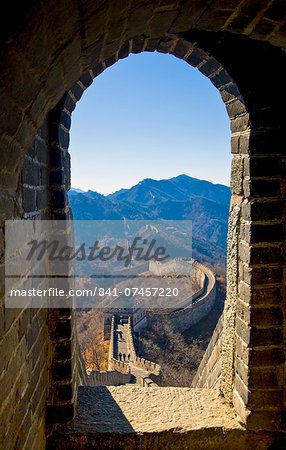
[(63, 348)]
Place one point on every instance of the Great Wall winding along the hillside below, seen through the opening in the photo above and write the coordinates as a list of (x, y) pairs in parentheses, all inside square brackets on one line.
[(134, 369)]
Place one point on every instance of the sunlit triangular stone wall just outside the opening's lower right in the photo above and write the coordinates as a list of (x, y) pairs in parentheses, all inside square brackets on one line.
[(209, 371)]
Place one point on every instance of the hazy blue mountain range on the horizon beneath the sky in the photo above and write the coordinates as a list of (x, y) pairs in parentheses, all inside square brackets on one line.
[(179, 198)]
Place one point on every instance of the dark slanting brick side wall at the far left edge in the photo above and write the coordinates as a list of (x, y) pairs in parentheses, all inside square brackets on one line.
[(23, 332)]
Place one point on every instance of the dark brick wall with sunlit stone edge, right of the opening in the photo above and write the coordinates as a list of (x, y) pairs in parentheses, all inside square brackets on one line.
[(253, 357)]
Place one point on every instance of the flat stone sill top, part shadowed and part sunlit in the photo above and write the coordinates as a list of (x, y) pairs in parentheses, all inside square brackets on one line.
[(131, 408)]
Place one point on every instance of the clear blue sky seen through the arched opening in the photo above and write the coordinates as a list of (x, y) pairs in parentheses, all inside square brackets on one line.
[(149, 116)]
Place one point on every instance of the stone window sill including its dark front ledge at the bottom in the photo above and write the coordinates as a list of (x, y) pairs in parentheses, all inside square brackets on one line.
[(156, 418)]
